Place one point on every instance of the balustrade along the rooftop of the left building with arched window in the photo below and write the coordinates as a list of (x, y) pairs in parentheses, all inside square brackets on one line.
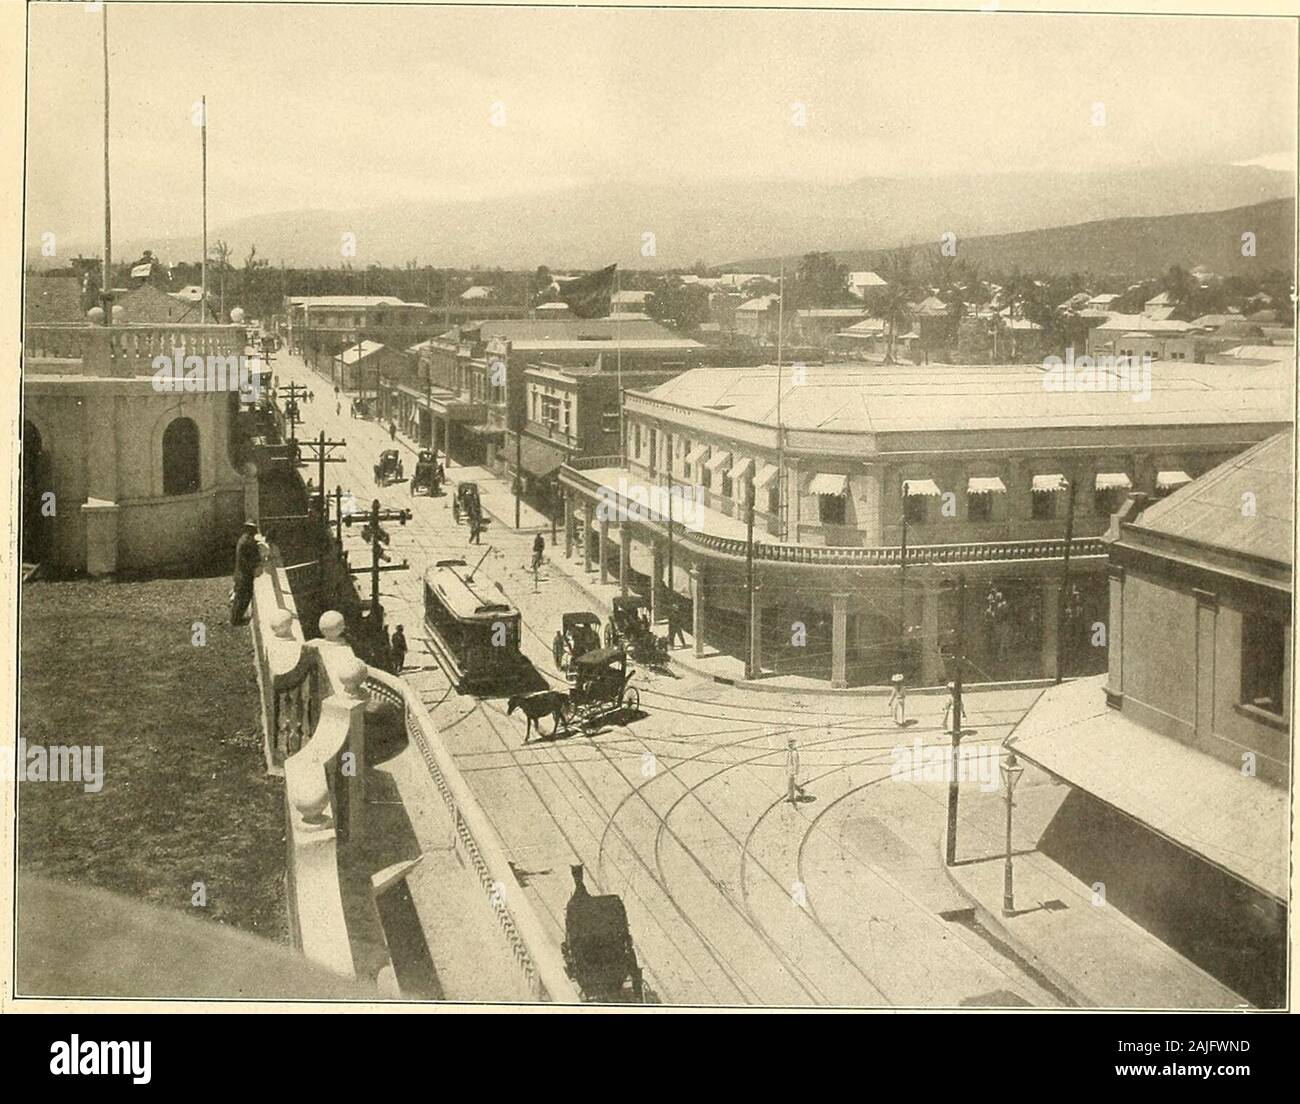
[(123, 352)]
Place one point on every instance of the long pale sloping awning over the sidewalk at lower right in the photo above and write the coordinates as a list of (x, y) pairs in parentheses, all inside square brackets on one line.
[(1207, 807)]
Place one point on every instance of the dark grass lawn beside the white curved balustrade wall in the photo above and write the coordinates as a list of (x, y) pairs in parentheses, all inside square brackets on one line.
[(187, 796)]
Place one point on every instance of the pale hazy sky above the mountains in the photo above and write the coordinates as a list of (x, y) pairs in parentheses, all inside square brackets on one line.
[(345, 107)]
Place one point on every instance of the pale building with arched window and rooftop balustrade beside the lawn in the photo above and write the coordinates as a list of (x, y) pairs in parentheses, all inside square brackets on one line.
[(118, 474)]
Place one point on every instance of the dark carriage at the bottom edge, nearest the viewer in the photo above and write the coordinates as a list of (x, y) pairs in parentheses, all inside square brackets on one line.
[(599, 951)]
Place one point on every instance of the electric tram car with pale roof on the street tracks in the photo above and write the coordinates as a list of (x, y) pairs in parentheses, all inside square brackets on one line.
[(474, 637)]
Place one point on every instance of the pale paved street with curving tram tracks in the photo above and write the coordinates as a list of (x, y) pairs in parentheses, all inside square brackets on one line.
[(735, 895)]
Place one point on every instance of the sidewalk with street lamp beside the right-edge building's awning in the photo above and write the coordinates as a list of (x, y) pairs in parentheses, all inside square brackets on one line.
[(1090, 951)]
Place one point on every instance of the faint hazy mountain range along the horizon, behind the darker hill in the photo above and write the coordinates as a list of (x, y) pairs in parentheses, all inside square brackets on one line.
[(721, 222)]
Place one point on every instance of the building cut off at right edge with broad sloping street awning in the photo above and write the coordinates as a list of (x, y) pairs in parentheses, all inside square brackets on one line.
[(1178, 760)]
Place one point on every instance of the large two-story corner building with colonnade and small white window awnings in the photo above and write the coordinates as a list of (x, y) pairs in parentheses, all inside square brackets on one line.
[(972, 469)]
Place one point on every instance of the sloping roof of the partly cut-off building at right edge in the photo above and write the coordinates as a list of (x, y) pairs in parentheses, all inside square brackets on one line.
[(1210, 510)]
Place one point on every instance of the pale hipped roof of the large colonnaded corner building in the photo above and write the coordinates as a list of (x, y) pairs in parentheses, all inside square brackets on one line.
[(868, 399)]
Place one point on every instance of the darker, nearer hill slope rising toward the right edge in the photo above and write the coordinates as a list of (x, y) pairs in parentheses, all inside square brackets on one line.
[(1130, 248)]
